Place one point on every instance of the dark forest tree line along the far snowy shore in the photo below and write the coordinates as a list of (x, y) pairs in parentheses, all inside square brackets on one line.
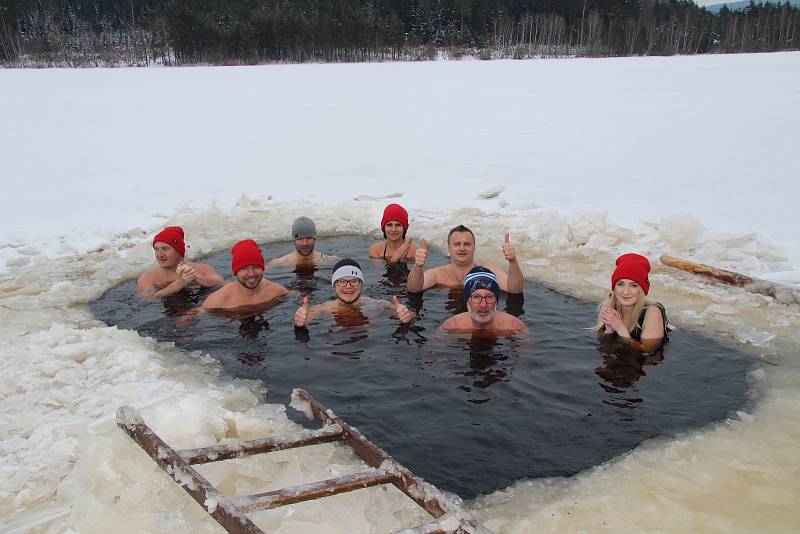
[(183, 32)]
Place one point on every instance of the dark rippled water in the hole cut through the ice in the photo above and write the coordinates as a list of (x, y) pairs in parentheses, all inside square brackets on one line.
[(468, 415)]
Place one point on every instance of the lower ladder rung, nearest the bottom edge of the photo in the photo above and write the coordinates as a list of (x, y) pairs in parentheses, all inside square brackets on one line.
[(314, 490)]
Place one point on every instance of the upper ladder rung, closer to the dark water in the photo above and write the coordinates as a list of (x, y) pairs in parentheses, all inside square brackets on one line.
[(259, 446)]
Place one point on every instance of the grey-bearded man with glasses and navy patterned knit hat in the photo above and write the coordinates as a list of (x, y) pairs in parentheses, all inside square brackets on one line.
[(481, 291)]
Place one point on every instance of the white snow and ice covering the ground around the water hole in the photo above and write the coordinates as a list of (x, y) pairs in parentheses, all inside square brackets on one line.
[(584, 159)]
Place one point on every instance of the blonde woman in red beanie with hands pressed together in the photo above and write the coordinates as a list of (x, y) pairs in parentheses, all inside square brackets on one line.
[(628, 313)]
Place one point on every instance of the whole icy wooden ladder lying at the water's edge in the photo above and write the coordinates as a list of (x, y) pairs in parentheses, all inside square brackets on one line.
[(231, 511)]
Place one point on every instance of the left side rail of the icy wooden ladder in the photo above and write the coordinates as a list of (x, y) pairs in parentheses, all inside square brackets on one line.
[(216, 504)]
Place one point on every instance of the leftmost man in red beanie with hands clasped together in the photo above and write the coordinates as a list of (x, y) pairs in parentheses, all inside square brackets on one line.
[(174, 273)]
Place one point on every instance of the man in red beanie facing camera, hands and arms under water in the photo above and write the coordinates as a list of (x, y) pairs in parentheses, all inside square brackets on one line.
[(250, 287)]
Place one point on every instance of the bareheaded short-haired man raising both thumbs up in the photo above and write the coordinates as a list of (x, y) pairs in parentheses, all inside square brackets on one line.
[(461, 244)]
